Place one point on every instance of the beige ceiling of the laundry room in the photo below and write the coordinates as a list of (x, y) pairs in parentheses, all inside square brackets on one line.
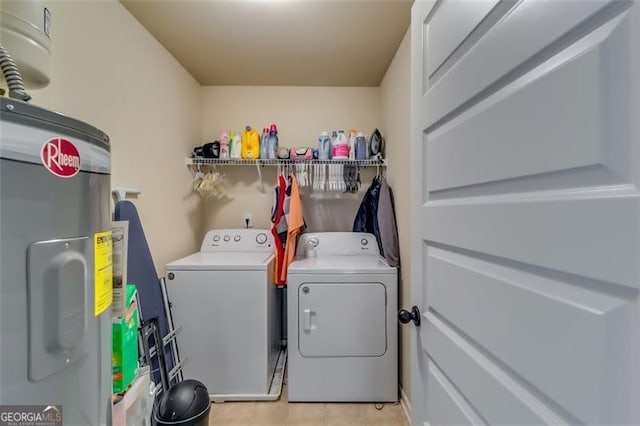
[(278, 42)]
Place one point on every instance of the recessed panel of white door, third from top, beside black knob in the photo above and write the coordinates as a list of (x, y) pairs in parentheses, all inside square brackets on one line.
[(528, 321)]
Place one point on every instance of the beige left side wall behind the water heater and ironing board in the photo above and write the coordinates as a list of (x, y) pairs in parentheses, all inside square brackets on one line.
[(109, 71)]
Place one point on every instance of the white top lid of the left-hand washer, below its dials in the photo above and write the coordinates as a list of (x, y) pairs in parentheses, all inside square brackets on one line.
[(203, 261)]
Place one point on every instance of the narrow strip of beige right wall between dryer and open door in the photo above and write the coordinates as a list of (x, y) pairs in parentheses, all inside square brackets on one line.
[(395, 112)]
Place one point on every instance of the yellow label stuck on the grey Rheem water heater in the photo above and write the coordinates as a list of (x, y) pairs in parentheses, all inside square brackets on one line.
[(103, 272)]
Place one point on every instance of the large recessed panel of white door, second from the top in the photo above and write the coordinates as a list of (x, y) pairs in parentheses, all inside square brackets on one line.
[(547, 121)]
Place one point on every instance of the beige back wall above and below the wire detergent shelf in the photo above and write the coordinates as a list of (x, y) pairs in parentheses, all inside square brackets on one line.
[(301, 113)]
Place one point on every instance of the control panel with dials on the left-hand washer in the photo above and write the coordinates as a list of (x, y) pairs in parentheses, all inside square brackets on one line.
[(241, 240)]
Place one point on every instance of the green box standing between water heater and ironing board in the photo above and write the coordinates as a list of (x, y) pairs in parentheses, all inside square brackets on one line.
[(125, 344)]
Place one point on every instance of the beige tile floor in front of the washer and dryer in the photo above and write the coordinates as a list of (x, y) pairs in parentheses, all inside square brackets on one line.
[(284, 413)]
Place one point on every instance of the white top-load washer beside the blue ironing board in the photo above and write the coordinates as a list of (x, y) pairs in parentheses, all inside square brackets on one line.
[(226, 302)]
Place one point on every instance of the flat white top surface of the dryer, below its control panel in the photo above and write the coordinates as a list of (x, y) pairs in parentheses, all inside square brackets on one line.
[(341, 265)]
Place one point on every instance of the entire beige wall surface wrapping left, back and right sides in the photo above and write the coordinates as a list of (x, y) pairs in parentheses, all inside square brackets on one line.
[(108, 71)]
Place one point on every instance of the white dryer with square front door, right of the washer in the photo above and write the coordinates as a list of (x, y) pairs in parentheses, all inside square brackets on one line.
[(342, 331)]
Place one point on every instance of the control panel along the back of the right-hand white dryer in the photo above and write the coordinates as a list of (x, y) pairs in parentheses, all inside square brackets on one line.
[(337, 244)]
